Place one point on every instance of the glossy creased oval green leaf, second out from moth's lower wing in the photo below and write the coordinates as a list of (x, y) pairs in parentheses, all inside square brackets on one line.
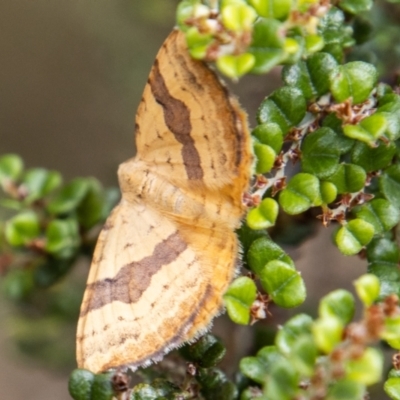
[(283, 284)]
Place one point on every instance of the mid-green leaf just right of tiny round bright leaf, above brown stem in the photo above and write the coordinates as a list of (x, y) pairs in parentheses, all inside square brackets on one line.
[(348, 178)]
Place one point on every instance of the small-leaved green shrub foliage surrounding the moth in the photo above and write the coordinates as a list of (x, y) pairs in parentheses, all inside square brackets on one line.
[(341, 128)]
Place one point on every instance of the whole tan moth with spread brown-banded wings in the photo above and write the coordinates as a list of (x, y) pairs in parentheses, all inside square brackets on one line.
[(168, 251)]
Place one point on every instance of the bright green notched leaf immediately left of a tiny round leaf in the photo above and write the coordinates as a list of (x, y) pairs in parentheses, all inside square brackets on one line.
[(301, 193)]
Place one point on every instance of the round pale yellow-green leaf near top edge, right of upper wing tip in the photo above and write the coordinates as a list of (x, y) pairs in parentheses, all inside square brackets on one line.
[(238, 17)]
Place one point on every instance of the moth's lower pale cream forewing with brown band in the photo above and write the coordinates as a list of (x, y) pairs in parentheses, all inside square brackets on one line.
[(129, 314)]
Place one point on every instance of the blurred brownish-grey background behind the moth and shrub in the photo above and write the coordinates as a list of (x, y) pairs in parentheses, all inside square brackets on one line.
[(71, 76)]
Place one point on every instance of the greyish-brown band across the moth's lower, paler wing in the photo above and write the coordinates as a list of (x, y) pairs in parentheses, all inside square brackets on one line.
[(134, 278)]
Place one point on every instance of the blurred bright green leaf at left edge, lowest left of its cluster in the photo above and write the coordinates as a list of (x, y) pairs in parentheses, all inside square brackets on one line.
[(22, 229)]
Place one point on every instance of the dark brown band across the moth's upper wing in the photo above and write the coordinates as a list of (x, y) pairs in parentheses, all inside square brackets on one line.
[(177, 119)]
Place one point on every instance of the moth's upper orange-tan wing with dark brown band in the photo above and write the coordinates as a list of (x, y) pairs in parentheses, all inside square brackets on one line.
[(188, 126)]
